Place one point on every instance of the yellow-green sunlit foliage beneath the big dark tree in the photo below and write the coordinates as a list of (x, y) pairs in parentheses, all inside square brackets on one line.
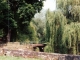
[(29, 34)]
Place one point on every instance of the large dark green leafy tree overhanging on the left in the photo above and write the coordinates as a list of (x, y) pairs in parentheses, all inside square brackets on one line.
[(16, 16)]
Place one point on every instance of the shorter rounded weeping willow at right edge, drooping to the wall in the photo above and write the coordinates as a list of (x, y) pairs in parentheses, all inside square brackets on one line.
[(71, 37)]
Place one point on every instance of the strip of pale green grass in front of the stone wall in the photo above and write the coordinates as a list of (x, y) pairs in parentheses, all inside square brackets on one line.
[(16, 58)]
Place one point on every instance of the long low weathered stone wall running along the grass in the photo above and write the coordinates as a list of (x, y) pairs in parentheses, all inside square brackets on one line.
[(43, 55)]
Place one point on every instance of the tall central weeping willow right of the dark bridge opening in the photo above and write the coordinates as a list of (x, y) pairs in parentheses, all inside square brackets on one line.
[(55, 22)]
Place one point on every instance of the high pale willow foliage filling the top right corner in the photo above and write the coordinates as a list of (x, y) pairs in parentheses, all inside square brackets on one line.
[(70, 8)]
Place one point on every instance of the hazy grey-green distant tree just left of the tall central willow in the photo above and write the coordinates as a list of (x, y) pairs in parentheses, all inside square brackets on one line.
[(40, 29)]
